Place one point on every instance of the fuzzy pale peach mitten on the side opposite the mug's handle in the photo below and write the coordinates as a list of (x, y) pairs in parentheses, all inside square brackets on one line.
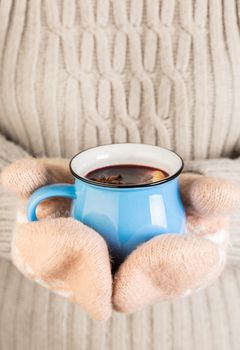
[(169, 266)]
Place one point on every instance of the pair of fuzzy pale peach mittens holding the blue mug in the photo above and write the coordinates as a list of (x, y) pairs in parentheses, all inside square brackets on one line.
[(72, 259)]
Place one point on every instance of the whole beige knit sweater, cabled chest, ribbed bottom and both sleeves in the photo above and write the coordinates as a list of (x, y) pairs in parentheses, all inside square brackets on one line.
[(75, 74)]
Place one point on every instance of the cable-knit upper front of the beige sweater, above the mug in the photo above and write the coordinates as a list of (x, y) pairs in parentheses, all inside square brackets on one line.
[(75, 74)]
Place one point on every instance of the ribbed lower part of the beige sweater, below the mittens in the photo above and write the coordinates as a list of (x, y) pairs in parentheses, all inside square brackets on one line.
[(34, 319)]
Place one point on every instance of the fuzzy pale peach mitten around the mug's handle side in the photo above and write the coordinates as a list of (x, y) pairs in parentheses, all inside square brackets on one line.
[(59, 253)]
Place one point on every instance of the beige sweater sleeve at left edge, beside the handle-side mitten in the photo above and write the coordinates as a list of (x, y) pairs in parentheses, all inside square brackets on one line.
[(8, 153)]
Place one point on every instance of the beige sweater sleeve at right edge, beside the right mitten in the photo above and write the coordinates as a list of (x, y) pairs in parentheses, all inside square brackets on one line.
[(228, 169)]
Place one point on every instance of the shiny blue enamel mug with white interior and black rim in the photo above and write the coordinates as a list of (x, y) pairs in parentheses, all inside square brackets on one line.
[(125, 215)]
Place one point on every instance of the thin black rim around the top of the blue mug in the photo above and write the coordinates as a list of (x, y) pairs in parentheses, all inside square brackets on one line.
[(107, 185)]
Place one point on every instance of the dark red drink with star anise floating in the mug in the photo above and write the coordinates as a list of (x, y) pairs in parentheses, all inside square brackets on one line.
[(127, 174)]
